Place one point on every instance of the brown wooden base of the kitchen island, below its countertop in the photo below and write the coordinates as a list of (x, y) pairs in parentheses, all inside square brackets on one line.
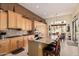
[(35, 48)]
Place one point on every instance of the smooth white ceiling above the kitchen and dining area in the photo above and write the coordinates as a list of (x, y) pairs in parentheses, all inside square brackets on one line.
[(47, 10)]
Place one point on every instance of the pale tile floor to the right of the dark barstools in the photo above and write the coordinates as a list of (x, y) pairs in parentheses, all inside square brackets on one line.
[(67, 50)]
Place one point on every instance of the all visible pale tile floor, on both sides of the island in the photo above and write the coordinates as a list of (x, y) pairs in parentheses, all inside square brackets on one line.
[(66, 50)]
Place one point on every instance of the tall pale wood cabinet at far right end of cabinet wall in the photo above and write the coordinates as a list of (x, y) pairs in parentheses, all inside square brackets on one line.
[(42, 28)]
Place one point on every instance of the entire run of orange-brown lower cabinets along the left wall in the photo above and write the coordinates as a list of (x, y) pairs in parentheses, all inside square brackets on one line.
[(11, 44)]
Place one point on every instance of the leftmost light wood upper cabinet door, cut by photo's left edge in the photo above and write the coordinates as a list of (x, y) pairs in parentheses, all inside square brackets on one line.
[(3, 20)]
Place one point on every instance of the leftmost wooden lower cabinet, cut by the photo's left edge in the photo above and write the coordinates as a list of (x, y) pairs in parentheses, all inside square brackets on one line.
[(4, 46)]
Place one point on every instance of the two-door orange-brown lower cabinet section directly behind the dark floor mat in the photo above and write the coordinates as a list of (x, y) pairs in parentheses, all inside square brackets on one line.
[(16, 43)]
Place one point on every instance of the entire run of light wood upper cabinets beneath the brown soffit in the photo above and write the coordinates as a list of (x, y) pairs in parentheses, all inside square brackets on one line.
[(15, 20)]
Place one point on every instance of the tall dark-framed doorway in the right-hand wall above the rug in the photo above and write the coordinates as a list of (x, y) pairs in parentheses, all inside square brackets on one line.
[(75, 31)]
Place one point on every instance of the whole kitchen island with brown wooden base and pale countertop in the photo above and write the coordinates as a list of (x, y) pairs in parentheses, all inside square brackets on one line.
[(35, 47)]
